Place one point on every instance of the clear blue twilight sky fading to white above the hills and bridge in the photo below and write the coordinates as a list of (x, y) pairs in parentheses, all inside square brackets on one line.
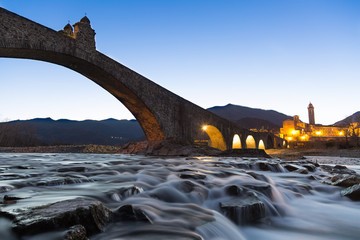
[(269, 54)]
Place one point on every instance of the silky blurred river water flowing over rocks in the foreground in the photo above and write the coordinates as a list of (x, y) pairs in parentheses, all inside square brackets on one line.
[(181, 196)]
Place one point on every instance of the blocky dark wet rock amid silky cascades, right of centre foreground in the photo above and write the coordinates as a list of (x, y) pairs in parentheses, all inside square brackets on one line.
[(243, 210)]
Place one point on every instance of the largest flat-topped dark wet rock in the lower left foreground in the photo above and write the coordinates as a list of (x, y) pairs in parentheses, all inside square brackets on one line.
[(89, 213)]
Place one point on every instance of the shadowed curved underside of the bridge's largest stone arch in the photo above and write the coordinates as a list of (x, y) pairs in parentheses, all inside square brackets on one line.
[(131, 101)]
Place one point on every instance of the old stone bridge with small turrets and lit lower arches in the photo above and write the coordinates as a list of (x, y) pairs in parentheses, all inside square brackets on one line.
[(162, 114)]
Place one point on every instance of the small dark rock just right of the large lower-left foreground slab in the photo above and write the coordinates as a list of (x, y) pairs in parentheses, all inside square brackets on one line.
[(129, 213)]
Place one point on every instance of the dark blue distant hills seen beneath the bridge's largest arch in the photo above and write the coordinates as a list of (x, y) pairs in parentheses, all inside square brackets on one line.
[(63, 131)]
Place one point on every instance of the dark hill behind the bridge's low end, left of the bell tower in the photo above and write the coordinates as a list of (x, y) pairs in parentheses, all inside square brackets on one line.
[(254, 117)]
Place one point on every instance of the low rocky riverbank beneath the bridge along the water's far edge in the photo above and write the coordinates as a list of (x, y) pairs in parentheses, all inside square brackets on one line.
[(164, 148)]
